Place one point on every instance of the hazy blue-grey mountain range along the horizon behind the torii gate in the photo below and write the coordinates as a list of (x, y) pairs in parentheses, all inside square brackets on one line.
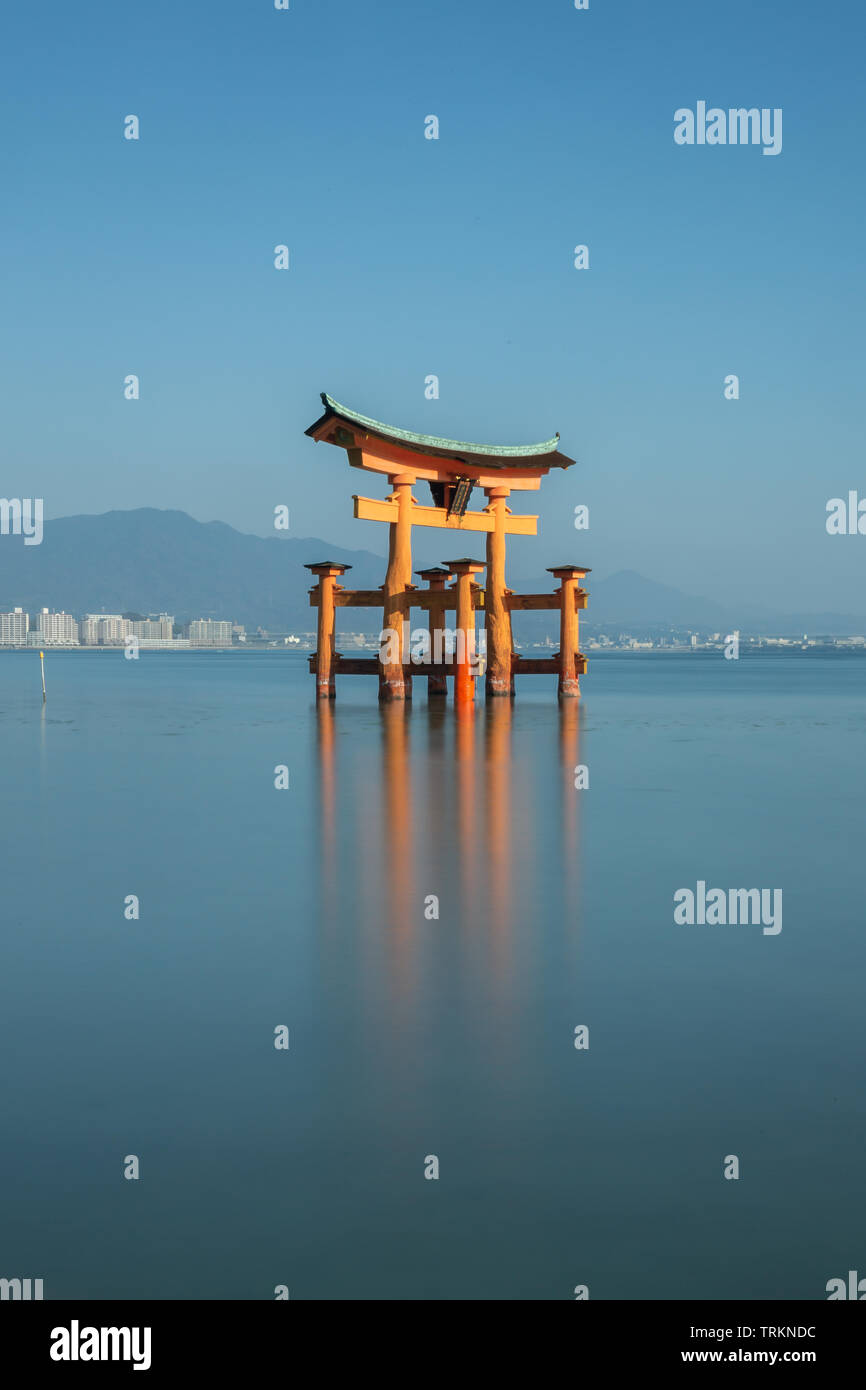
[(149, 561)]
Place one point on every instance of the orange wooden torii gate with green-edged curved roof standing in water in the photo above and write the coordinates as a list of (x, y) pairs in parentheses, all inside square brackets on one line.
[(454, 471)]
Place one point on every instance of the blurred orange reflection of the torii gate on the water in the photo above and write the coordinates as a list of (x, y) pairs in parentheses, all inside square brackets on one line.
[(436, 835)]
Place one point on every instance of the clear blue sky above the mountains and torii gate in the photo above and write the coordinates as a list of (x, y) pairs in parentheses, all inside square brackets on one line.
[(451, 256)]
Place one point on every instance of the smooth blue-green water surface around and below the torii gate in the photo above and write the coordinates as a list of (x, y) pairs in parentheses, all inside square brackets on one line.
[(415, 1036)]
